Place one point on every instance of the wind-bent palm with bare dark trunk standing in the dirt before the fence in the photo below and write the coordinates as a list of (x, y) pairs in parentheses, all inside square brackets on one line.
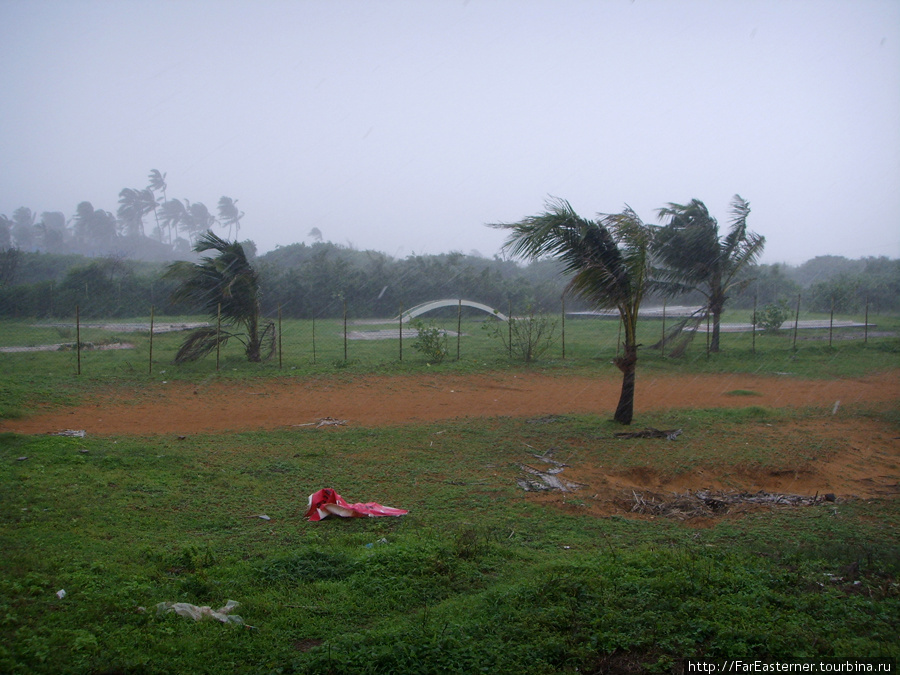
[(609, 260)]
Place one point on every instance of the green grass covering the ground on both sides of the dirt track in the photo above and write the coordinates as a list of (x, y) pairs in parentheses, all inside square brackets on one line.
[(478, 577)]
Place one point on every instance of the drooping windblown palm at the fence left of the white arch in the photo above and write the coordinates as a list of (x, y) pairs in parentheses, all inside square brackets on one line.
[(227, 281)]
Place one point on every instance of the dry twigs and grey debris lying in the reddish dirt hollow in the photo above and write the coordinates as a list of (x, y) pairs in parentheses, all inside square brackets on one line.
[(707, 503)]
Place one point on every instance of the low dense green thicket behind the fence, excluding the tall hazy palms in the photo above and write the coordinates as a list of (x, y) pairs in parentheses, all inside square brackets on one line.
[(321, 279)]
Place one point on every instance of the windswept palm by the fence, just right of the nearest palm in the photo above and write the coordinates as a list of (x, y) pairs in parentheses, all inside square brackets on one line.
[(693, 256)]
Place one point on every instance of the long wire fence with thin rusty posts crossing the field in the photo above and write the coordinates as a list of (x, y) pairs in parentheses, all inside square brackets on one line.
[(456, 331)]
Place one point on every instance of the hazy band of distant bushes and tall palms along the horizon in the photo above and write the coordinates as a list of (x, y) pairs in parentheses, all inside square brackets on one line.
[(113, 265)]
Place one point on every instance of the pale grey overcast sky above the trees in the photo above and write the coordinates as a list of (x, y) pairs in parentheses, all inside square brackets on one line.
[(407, 125)]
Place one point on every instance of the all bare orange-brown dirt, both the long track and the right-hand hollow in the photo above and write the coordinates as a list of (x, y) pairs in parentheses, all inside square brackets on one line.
[(867, 466)]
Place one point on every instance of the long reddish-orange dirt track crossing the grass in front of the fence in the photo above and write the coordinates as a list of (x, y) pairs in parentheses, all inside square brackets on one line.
[(180, 408)]
